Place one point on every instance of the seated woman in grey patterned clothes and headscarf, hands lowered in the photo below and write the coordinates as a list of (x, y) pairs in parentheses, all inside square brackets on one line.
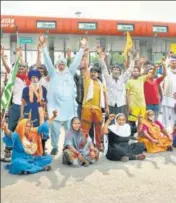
[(78, 147)]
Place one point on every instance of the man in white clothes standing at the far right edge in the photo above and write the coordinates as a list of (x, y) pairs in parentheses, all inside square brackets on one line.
[(169, 95)]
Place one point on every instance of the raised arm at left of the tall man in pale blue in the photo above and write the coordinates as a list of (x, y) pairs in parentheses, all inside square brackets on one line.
[(47, 60)]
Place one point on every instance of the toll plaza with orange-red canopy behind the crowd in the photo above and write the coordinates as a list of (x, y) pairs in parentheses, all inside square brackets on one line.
[(153, 39)]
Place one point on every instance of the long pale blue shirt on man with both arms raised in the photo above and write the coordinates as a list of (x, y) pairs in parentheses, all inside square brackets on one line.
[(62, 89)]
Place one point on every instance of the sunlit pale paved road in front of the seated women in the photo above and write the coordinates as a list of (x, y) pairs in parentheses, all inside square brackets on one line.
[(150, 181)]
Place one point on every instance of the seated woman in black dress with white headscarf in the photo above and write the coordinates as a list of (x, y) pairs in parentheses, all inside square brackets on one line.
[(119, 146)]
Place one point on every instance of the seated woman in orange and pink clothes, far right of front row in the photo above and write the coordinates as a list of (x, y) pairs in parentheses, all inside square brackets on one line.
[(153, 135)]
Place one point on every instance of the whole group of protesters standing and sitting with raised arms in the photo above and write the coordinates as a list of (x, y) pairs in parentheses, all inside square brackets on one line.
[(132, 105)]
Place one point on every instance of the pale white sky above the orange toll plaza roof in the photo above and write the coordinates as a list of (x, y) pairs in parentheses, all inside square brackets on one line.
[(163, 11)]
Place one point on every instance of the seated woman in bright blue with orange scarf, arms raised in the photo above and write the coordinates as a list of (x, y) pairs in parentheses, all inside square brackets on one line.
[(27, 147)]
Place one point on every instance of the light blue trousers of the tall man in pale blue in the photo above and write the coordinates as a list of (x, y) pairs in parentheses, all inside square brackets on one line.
[(55, 131)]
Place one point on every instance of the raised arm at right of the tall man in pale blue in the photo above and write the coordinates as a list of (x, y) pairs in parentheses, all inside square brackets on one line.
[(78, 57)]
